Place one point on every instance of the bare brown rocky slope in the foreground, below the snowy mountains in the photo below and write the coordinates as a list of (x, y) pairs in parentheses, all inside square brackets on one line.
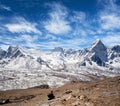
[(101, 93)]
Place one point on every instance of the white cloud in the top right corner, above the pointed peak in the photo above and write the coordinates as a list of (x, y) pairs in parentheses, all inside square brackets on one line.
[(110, 16)]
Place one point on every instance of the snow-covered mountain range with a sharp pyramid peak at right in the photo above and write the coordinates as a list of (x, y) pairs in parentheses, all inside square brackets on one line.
[(23, 68)]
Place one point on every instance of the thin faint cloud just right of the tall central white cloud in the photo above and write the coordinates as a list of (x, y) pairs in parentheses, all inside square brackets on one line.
[(80, 24)]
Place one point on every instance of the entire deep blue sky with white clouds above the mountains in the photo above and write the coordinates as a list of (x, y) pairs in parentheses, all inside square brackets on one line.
[(45, 24)]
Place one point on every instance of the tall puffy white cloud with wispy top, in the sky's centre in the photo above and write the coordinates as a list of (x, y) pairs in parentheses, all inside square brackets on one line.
[(57, 24)]
